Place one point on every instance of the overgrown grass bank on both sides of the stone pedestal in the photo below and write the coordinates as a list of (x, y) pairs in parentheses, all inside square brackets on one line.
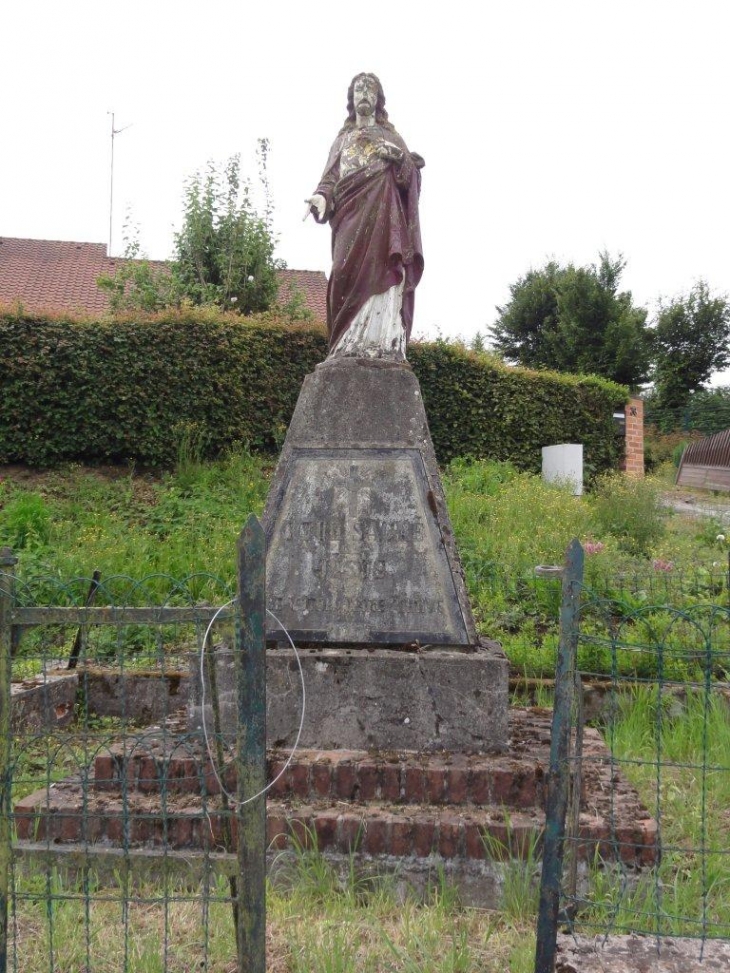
[(69, 522)]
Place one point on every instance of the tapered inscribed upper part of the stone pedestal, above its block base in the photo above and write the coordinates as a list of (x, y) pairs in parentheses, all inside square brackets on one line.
[(360, 548)]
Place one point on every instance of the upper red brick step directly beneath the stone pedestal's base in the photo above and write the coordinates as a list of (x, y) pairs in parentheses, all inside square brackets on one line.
[(345, 775)]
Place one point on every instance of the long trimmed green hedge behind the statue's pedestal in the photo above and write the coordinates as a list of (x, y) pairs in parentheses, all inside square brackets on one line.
[(132, 389)]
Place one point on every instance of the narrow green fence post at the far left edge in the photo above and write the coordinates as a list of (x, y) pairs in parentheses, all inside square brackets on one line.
[(7, 600)]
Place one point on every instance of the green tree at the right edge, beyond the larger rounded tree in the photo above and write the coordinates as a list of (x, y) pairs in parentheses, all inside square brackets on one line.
[(690, 343)]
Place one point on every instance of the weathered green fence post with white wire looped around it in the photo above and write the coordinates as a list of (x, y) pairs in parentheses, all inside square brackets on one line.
[(250, 663)]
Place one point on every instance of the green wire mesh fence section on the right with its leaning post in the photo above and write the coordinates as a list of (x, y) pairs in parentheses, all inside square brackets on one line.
[(665, 871)]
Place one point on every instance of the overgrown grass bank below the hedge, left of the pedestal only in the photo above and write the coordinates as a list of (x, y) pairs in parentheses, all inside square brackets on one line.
[(73, 521)]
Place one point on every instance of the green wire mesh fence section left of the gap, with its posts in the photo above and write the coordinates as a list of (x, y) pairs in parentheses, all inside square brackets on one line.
[(130, 839)]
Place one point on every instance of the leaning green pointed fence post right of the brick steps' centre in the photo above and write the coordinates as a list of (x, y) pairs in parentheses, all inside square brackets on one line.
[(559, 775)]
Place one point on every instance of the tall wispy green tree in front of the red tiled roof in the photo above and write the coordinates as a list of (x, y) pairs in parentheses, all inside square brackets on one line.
[(224, 252)]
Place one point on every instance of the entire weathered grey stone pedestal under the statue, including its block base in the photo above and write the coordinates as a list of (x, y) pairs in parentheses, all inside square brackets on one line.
[(364, 577)]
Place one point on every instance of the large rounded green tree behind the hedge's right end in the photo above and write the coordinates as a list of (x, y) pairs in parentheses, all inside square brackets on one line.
[(575, 319)]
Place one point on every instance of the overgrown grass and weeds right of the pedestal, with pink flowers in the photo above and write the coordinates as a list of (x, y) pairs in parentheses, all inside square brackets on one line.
[(637, 555)]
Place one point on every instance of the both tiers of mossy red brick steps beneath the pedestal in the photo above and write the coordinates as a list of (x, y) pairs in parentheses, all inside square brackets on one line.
[(159, 790)]
